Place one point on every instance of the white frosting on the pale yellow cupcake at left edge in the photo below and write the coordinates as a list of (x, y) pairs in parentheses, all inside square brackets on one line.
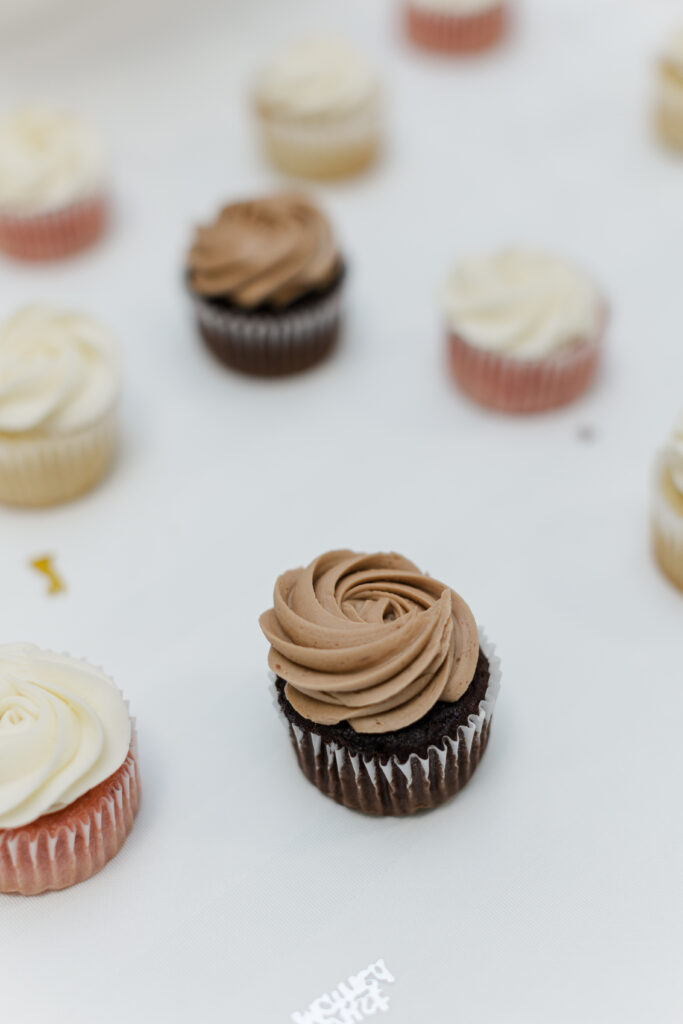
[(60, 372)]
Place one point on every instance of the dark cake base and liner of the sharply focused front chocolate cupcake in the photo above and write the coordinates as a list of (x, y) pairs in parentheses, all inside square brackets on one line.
[(403, 772)]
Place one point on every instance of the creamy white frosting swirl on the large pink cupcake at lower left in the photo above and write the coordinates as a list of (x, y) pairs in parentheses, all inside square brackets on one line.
[(64, 730)]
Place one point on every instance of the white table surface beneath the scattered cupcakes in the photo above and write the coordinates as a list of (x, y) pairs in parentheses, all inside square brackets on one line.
[(550, 890)]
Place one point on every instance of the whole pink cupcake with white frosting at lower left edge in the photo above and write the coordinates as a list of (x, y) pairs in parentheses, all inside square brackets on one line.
[(69, 780)]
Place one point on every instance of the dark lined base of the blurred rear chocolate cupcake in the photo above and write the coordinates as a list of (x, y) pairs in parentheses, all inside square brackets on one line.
[(272, 344)]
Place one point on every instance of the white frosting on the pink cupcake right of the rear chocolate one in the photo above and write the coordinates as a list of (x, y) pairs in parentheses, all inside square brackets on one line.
[(523, 305)]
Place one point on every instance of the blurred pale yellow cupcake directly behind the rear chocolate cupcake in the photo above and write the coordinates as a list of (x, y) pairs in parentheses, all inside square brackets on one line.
[(319, 110)]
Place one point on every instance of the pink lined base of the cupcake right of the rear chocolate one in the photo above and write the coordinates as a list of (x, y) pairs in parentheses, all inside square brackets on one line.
[(513, 386)]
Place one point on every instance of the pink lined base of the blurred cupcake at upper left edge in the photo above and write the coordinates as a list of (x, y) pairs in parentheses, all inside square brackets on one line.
[(54, 234)]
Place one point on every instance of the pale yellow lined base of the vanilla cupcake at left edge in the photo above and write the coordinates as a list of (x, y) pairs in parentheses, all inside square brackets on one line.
[(36, 472)]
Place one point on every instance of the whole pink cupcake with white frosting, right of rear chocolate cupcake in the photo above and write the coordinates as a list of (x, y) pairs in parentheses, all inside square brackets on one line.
[(525, 330)]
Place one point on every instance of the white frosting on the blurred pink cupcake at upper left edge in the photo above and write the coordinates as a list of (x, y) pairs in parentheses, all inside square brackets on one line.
[(49, 159)]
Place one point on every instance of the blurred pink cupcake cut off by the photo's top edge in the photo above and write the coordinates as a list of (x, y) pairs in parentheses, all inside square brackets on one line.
[(456, 26)]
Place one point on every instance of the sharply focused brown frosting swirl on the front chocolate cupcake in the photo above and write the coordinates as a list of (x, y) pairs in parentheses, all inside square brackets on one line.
[(369, 639)]
